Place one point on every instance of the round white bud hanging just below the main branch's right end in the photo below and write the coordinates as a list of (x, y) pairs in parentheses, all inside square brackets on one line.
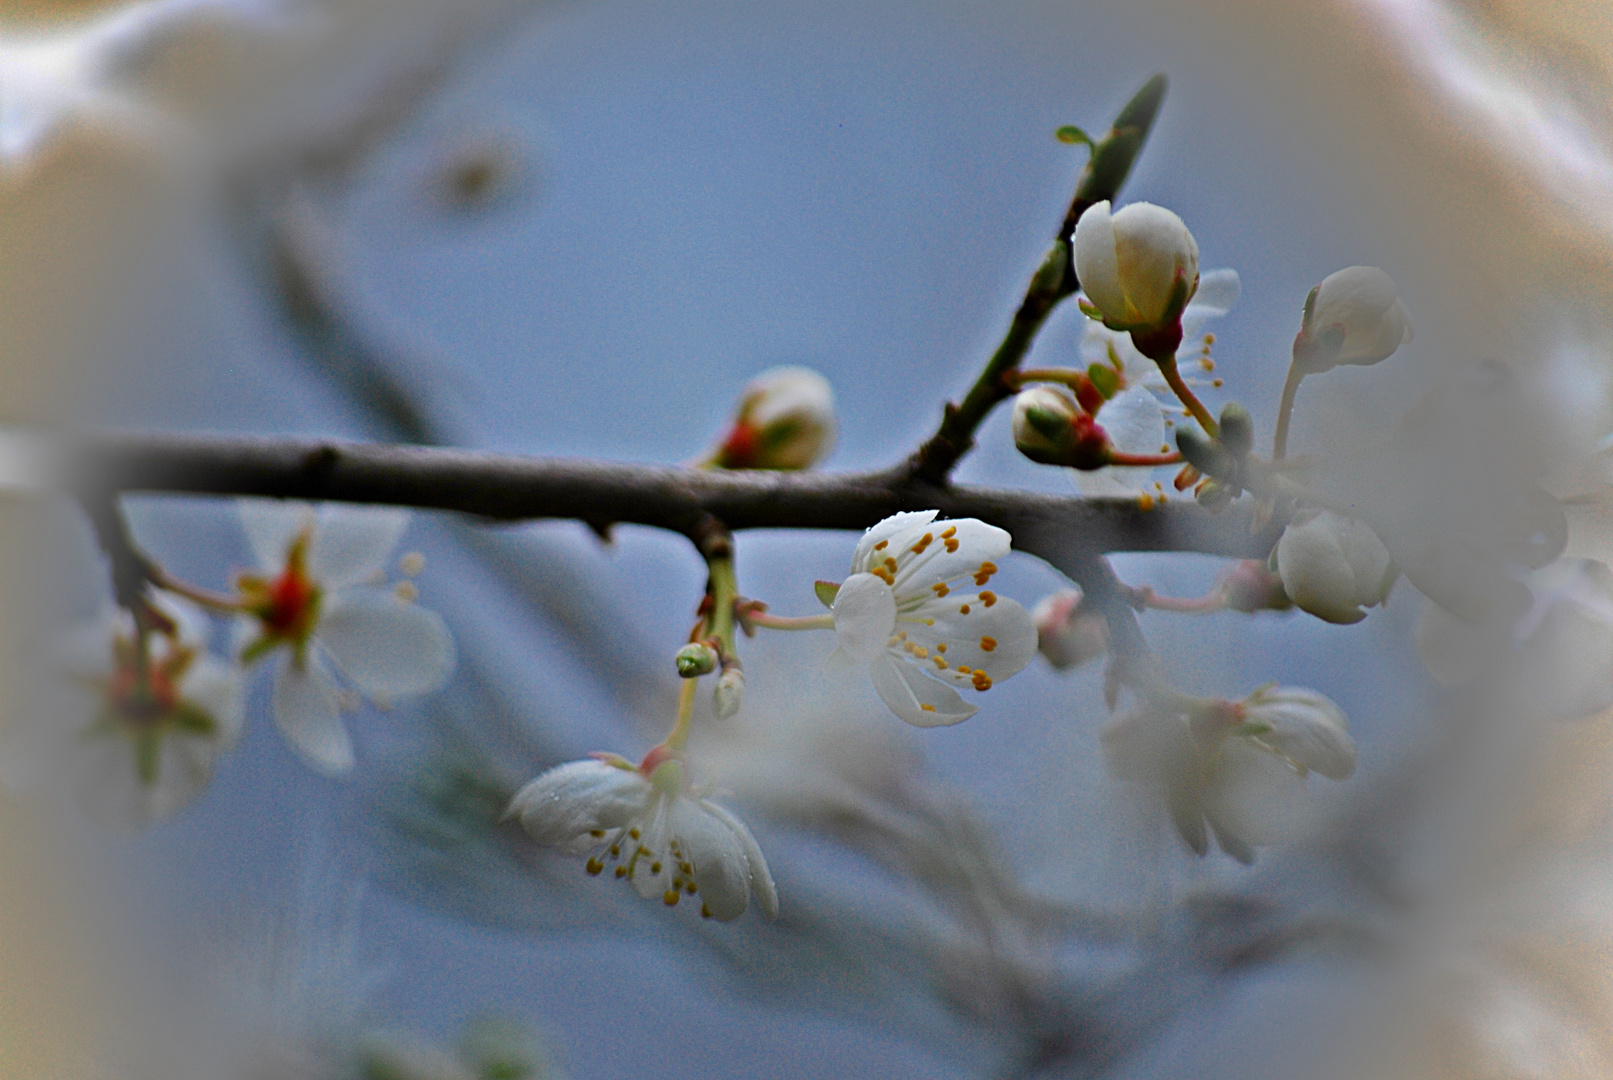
[(1333, 567)]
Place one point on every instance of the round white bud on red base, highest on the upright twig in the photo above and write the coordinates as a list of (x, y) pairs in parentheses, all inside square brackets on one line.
[(1140, 267)]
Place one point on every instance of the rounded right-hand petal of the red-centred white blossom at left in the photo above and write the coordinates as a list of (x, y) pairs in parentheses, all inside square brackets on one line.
[(388, 647)]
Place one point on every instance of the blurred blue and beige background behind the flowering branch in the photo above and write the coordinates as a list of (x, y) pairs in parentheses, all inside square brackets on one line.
[(578, 230)]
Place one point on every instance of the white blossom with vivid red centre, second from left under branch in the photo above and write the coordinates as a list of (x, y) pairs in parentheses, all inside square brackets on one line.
[(317, 604)]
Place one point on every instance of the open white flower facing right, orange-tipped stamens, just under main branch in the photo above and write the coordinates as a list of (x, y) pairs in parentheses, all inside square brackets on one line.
[(906, 615)]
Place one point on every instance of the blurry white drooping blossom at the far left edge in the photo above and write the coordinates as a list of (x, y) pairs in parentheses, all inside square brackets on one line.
[(140, 728)]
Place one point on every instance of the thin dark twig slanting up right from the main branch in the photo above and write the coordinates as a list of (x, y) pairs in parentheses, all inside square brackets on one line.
[(1102, 180)]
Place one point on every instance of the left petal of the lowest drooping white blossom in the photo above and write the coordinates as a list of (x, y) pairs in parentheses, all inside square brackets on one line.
[(562, 807)]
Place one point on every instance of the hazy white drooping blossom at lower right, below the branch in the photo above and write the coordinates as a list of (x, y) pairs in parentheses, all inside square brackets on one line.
[(1233, 770)]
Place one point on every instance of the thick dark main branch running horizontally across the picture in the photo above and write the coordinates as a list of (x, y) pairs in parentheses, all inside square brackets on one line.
[(509, 488)]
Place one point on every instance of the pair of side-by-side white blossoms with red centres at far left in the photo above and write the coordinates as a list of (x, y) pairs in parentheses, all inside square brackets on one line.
[(159, 710)]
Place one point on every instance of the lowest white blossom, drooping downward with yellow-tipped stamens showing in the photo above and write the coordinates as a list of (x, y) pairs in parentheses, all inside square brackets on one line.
[(654, 829)]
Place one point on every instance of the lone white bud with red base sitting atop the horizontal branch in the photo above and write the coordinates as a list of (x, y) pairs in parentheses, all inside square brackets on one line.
[(786, 422)]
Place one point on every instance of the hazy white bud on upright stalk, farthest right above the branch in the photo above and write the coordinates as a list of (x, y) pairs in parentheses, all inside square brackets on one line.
[(1353, 318)]
